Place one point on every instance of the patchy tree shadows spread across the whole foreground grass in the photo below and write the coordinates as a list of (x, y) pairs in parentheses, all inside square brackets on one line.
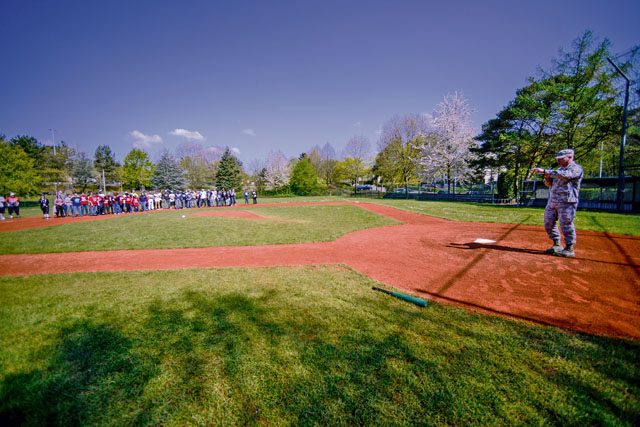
[(284, 366)]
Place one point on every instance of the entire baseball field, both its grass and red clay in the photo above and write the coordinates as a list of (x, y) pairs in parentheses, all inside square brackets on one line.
[(265, 315)]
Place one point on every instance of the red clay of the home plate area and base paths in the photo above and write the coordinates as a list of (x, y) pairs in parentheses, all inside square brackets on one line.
[(597, 292)]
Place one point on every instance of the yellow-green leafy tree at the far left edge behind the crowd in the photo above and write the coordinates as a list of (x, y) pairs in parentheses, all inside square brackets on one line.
[(17, 171)]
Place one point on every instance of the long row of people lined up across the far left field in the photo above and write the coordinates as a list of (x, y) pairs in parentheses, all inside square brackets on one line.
[(92, 204)]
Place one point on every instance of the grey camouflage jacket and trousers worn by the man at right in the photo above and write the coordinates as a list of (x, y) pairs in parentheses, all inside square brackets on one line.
[(563, 202)]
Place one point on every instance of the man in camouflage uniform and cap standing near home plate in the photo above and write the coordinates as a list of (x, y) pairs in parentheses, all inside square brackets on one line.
[(563, 201)]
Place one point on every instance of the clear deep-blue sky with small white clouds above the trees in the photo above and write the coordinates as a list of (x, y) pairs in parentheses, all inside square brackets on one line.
[(268, 75)]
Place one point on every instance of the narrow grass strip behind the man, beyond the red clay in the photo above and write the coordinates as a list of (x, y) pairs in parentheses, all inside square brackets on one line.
[(476, 212)]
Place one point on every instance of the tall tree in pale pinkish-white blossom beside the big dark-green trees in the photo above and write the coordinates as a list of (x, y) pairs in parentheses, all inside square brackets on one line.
[(445, 151)]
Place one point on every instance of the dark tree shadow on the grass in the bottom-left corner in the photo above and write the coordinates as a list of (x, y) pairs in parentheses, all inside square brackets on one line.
[(90, 366)]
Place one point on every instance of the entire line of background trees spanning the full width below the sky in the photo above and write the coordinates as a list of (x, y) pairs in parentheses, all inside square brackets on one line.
[(573, 104)]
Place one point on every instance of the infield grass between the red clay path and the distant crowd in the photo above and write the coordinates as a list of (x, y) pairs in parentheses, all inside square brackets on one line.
[(167, 229)]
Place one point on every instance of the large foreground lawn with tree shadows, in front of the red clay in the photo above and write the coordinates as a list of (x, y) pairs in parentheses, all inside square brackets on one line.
[(311, 346)]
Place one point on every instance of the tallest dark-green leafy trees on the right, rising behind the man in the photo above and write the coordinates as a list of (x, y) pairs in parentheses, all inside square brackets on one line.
[(572, 105)]
